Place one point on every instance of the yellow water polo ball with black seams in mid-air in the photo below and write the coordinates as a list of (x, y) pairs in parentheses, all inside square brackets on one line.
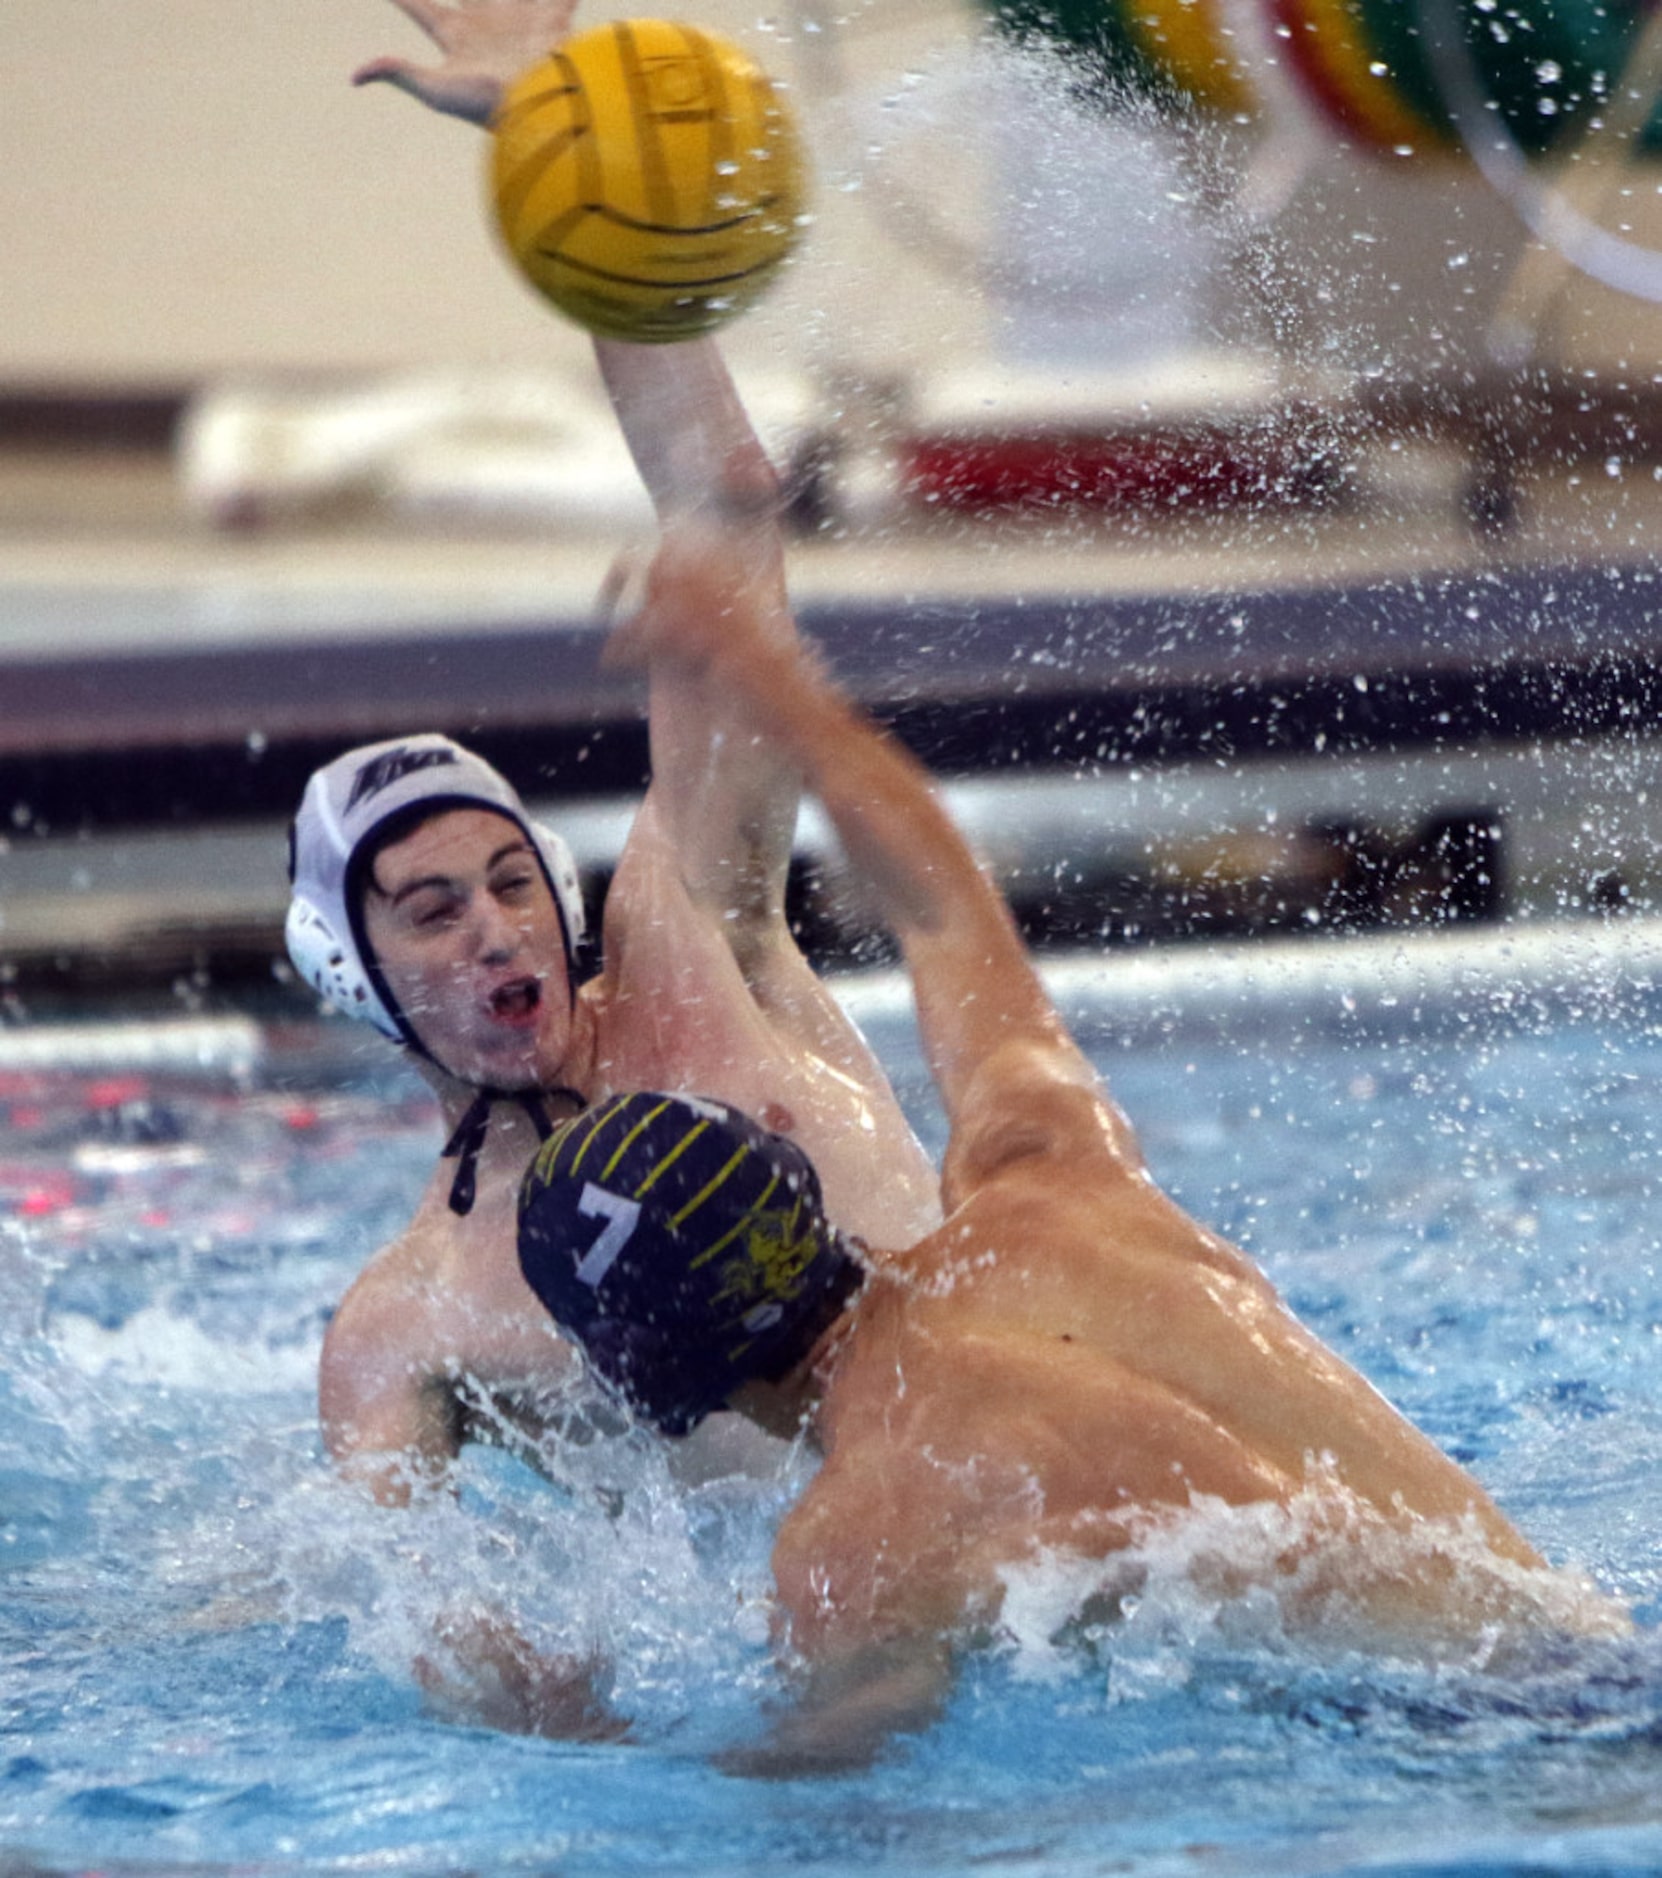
[(649, 179)]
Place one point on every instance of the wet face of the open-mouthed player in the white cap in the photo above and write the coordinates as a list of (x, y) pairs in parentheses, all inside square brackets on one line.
[(461, 919)]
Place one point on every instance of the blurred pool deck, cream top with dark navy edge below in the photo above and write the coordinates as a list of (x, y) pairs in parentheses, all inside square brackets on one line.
[(232, 662)]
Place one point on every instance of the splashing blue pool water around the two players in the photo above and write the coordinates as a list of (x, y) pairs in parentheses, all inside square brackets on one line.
[(206, 1640)]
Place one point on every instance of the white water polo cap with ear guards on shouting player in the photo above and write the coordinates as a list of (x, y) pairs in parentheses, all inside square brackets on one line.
[(343, 810)]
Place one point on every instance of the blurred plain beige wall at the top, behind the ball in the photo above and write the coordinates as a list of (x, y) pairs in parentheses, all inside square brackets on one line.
[(194, 189)]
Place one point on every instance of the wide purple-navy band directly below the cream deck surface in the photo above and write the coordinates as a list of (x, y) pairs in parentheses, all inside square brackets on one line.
[(972, 686)]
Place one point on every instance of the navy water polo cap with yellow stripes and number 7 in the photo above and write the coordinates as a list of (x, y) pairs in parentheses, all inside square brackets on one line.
[(685, 1248)]
